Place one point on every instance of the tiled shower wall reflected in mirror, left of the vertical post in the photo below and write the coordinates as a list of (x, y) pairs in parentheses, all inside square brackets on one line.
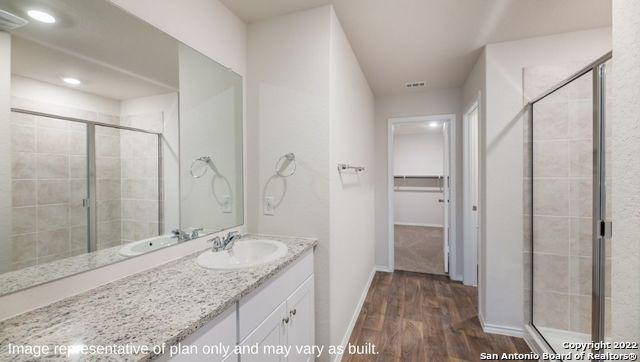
[(48, 185)]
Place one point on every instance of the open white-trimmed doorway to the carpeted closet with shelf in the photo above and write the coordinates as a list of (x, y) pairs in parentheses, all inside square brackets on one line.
[(421, 194)]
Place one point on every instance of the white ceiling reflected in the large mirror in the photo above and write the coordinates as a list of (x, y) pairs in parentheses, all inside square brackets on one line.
[(114, 54)]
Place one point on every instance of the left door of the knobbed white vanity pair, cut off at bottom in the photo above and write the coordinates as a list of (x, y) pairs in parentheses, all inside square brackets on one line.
[(271, 332)]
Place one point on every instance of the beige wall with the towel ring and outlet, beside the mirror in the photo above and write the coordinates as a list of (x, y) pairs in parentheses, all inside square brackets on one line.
[(288, 111)]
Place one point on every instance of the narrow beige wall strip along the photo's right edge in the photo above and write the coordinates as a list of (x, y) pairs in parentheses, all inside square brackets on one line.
[(626, 171)]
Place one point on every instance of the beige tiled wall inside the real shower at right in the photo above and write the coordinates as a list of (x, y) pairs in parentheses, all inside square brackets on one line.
[(562, 156)]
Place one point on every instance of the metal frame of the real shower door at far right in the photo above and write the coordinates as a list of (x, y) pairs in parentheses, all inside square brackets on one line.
[(601, 227)]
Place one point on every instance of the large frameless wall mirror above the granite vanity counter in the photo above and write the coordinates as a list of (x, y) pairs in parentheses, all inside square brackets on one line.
[(117, 140)]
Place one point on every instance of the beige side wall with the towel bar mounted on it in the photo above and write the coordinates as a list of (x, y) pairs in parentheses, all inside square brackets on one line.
[(351, 196)]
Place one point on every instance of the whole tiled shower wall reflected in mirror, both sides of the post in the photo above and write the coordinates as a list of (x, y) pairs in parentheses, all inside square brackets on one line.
[(49, 182)]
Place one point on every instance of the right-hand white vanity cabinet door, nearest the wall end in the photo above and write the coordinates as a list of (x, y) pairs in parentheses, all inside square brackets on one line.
[(301, 328)]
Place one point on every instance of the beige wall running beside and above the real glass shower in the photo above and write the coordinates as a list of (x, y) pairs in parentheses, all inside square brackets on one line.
[(501, 132)]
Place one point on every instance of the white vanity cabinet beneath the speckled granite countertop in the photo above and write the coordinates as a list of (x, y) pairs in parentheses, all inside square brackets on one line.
[(279, 313)]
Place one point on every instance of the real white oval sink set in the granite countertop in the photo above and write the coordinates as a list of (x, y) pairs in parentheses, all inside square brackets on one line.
[(244, 254)]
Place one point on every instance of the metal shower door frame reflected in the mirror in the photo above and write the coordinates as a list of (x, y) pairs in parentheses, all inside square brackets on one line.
[(91, 201)]
